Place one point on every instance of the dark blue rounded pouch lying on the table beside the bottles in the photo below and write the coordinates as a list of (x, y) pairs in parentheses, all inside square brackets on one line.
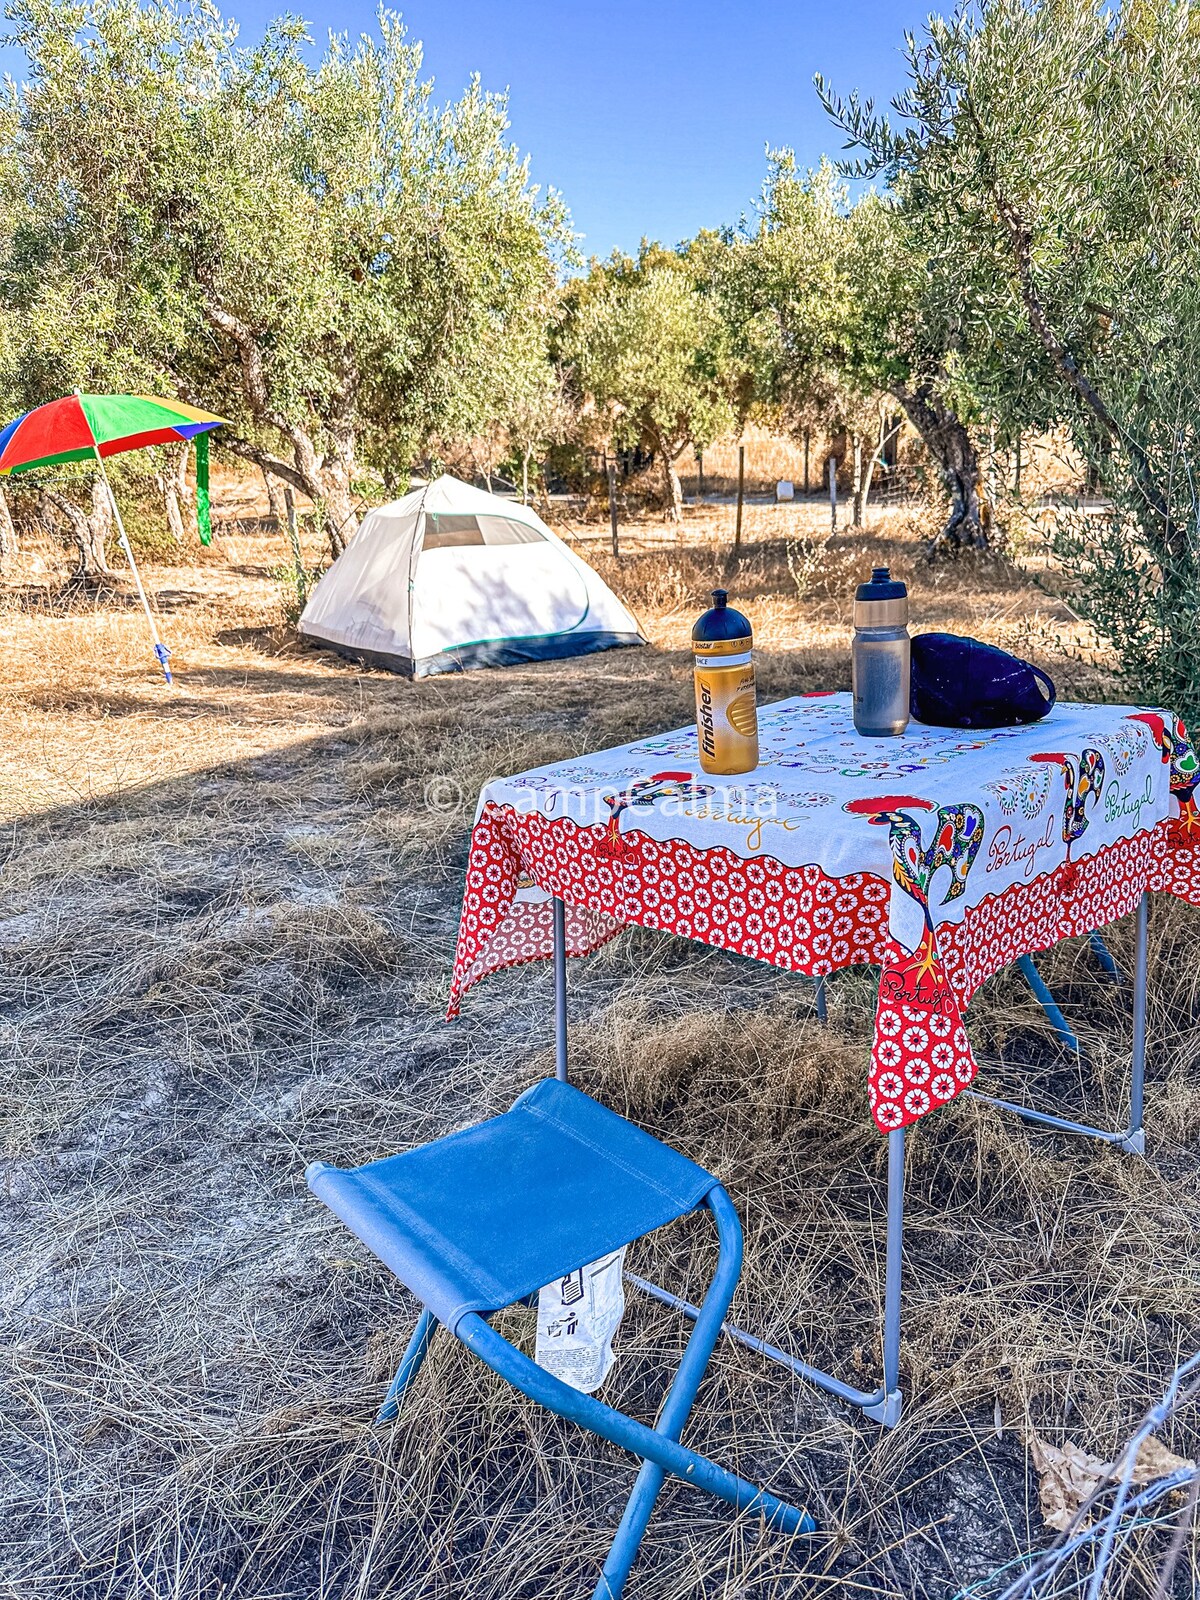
[(966, 684)]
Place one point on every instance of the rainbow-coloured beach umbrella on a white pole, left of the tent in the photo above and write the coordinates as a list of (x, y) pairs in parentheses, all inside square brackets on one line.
[(92, 428)]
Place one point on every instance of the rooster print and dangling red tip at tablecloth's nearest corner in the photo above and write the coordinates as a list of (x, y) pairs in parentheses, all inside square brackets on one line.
[(922, 1057)]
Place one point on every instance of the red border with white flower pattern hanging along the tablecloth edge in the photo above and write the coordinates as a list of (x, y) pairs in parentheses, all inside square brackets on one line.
[(802, 921)]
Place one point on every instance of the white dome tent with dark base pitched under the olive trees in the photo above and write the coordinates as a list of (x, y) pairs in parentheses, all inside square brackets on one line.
[(452, 578)]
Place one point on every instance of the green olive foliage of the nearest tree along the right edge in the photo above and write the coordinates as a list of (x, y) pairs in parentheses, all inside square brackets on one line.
[(1047, 167)]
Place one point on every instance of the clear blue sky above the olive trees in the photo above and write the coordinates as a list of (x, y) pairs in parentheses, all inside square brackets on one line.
[(650, 118)]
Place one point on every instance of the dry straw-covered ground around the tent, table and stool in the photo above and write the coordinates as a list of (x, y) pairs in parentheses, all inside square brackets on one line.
[(226, 929)]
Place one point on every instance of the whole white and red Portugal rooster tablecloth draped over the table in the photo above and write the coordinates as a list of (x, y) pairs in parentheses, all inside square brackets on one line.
[(942, 857)]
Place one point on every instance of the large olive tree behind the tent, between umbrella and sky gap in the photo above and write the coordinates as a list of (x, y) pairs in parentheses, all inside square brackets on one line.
[(319, 252)]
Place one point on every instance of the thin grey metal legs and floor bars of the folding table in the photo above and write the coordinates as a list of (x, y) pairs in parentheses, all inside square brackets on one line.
[(884, 1404)]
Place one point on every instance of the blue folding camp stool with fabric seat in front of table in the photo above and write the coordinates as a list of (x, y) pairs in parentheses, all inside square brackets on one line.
[(484, 1218)]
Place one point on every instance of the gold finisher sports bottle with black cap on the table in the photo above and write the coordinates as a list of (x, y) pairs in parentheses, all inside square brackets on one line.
[(727, 719)]
